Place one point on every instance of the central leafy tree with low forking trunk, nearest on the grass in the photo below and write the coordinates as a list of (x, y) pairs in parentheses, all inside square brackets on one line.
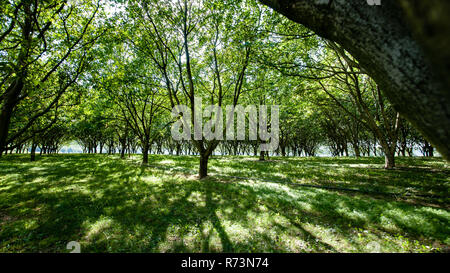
[(214, 67)]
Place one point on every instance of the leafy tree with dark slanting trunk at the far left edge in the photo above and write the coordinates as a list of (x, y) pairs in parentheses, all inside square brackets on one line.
[(42, 44)]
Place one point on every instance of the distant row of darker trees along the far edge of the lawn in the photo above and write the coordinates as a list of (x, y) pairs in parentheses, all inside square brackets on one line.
[(338, 135)]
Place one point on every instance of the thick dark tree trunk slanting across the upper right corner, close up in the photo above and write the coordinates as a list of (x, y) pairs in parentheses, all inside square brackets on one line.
[(380, 39)]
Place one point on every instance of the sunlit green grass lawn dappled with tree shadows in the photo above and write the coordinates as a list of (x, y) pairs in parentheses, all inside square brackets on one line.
[(113, 205)]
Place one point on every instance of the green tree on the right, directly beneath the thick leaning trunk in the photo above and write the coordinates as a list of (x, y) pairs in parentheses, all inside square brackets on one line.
[(361, 99)]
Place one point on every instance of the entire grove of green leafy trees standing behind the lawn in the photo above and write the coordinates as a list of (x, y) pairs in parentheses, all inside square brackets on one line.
[(108, 74)]
